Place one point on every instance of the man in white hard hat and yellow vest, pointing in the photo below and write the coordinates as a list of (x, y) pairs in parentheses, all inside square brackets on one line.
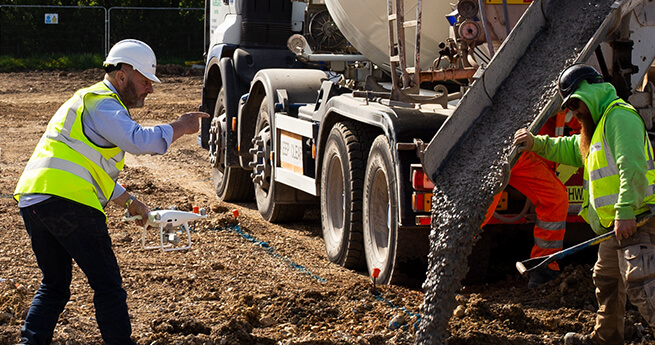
[(71, 177)]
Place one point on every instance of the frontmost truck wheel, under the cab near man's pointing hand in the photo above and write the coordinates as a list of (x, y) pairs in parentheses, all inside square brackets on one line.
[(230, 183)]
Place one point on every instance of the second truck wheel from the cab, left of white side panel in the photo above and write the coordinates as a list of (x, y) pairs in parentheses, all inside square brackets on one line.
[(263, 179)]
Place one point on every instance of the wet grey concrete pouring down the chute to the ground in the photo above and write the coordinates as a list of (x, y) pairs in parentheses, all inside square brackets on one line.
[(464, 189)]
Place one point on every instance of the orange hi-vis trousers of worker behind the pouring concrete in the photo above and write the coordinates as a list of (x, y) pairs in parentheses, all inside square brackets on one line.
[(534, 178)]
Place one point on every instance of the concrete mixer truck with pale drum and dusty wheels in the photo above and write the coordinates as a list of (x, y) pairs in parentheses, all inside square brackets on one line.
[(330, 102)]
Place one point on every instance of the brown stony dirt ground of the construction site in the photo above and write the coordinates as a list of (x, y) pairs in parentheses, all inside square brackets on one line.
[(255, 283)]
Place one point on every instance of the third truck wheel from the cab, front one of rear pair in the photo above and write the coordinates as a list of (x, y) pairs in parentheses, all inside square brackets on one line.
[(342, 179)]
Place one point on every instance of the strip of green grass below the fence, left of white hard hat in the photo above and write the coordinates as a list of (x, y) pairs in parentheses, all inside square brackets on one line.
[(51, 62)]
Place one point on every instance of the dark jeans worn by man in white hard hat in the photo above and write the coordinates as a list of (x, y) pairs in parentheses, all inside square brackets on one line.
[(62, 230)]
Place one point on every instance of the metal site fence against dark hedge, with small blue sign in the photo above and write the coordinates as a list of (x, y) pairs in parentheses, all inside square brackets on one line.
[(32, 30)]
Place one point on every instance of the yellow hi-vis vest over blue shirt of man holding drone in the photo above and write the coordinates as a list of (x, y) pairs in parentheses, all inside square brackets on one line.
[(66, 163)]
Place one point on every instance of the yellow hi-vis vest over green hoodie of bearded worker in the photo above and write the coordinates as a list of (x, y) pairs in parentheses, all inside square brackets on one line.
[(601, 176)]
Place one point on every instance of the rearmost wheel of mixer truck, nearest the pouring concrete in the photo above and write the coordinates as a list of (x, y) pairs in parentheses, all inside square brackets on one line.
[(399, 255)]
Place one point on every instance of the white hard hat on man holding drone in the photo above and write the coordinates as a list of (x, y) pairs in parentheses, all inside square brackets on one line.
[(136, 54)]
